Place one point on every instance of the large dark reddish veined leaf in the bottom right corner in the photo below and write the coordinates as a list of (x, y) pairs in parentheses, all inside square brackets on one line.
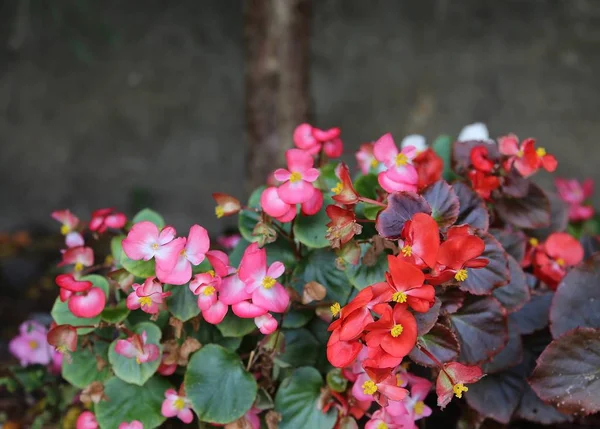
[(567, 373)]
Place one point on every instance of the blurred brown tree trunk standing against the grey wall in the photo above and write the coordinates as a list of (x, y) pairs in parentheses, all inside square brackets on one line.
[(276, 36)]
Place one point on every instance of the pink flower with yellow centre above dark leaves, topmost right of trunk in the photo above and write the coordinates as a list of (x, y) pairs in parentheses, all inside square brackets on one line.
[(400, 174)]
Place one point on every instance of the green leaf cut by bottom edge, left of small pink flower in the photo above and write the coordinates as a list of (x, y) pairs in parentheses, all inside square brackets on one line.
[(128, 402)]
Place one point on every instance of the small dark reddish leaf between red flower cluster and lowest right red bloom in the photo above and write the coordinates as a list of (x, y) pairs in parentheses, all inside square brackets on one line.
[(440, 342)]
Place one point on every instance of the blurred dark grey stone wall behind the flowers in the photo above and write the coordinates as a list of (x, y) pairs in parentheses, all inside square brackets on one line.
[(141, 101)]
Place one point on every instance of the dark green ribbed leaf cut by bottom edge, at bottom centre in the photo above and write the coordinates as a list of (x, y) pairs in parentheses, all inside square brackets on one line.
[(297, 401)]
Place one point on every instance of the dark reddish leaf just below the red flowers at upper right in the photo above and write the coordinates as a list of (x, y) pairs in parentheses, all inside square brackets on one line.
[(530, 212)]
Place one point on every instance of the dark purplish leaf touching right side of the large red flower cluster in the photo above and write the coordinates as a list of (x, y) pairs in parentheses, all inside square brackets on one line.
[(481, 281)]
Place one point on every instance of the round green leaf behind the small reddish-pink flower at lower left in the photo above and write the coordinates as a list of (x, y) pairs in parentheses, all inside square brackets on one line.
[(128, 369)]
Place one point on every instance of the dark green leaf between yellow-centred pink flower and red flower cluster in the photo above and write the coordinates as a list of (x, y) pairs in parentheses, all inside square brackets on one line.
[(319, 266)]
